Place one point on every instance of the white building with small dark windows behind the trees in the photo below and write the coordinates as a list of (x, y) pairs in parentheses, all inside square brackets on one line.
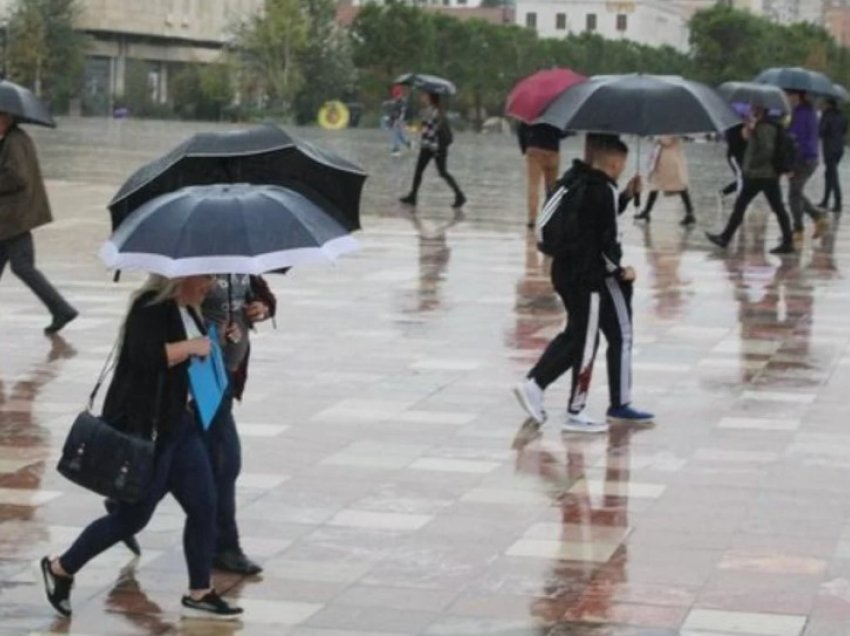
[(650, 22)]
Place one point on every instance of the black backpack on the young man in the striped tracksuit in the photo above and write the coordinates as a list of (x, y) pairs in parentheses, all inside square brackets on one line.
[(559, 228)]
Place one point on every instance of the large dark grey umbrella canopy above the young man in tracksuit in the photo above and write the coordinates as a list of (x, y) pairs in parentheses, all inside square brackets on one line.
[(640, 105)]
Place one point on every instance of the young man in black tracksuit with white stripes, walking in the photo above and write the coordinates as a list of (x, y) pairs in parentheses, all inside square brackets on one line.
[(596, 290)]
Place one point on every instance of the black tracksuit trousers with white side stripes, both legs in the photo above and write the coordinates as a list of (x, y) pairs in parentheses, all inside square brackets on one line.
[(608, 310)]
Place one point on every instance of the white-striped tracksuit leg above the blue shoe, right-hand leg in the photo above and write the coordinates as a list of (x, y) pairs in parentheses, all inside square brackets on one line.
[(615, 322)]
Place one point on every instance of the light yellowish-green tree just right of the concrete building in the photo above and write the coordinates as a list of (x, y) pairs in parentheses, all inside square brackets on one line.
[(268, 48)]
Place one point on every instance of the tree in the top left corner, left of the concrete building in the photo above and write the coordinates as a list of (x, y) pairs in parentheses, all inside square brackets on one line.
[(44, 51)]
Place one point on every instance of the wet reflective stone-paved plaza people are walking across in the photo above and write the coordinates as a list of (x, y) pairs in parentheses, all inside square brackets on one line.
[(390, 483)]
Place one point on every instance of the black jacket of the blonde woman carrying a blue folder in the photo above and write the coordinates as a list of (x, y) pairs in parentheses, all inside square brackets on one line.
[(146, 397)]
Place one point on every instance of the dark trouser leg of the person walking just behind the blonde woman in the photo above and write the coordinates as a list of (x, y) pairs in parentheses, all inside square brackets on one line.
[(226, 458)]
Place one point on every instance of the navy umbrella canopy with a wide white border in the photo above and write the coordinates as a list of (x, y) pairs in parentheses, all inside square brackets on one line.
[(233, 228)]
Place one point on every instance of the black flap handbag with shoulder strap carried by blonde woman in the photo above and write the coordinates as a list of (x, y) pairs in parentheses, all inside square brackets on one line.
[(100, 458)]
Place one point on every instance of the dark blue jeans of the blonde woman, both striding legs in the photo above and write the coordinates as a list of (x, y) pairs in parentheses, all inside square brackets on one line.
[(182, 469)]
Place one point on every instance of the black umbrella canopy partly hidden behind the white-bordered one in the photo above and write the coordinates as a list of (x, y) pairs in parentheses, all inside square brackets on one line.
[(263, 154)]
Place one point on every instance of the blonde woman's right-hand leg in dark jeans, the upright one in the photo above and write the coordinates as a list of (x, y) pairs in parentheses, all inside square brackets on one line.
[(193, 486)]
